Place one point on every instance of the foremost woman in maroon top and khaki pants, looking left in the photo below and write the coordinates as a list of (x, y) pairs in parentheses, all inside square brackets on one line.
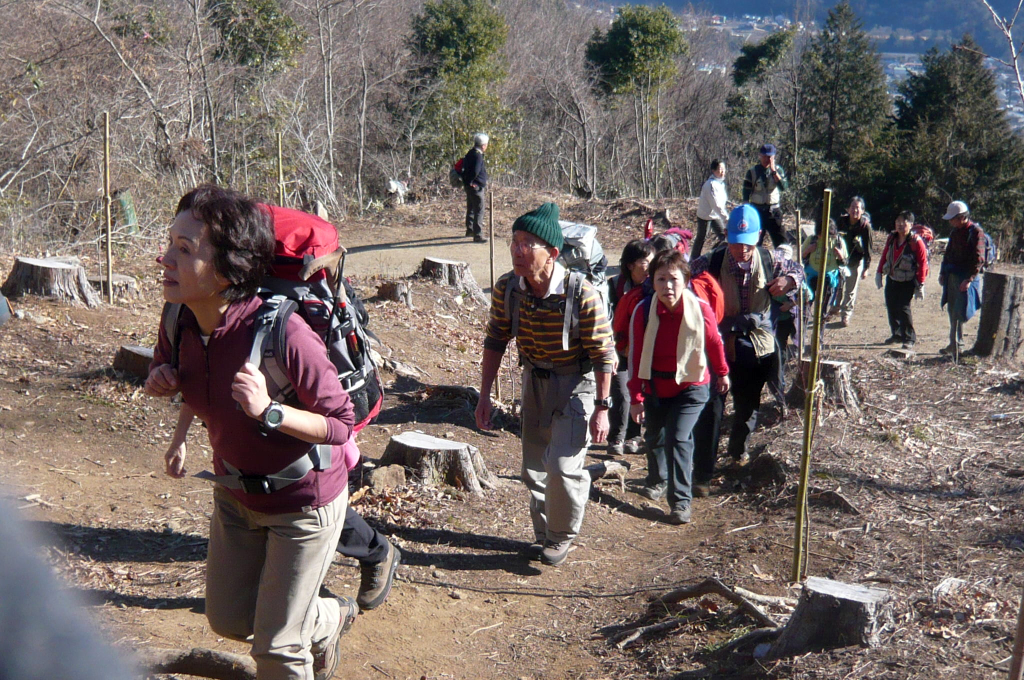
[(278, 507)]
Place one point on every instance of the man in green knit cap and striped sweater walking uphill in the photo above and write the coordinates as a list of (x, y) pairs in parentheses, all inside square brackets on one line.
[(566, 348)]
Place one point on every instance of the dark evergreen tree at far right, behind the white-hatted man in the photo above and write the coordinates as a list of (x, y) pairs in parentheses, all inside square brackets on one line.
[(956, 144)]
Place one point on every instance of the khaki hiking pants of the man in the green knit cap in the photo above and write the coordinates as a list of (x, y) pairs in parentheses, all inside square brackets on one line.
[(557, 414)]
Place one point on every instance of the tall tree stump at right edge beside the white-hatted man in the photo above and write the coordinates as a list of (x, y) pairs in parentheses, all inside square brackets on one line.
[(1000, 332)]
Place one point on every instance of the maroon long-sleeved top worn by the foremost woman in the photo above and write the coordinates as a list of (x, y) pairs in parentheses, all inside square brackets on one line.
[(206, 373)]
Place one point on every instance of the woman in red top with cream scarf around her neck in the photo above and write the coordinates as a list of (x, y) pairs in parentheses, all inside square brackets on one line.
[(673, 337)]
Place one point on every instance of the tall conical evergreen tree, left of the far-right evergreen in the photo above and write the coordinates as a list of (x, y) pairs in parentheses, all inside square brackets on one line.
[(846, 104)]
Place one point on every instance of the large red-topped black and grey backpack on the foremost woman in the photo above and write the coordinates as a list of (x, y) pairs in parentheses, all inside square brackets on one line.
[(307, 277)]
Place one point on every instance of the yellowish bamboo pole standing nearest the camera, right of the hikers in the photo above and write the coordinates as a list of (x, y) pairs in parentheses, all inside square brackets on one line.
[(810, 392)]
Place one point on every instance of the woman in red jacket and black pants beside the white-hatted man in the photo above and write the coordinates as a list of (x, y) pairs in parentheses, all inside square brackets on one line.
[(905, 267)]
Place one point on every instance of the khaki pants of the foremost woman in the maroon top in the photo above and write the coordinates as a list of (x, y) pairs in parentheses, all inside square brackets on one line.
[(264, 575)]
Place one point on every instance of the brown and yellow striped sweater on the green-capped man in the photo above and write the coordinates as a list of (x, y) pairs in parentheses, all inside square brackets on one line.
[(540, 337)]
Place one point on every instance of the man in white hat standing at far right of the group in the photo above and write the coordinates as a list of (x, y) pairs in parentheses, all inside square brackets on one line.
[(962, 265)]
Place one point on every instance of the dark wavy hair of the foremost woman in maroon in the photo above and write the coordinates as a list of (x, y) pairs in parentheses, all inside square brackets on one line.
[(242, 234)]
